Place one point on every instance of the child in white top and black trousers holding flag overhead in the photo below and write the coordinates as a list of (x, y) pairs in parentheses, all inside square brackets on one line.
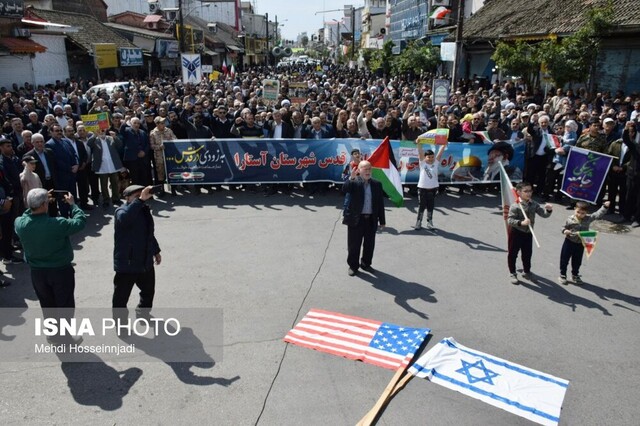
[(427, 183)]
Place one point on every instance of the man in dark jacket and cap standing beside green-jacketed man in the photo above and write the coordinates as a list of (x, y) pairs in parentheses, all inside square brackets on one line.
[(136, 249)]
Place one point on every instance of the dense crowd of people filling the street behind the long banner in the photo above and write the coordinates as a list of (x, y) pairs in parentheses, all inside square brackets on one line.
[(46, 144)]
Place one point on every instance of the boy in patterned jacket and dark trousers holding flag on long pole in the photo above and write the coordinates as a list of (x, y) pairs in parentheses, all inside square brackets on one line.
[(521, 219)]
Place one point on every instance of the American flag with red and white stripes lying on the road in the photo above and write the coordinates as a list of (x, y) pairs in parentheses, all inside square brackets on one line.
[(373, 342)]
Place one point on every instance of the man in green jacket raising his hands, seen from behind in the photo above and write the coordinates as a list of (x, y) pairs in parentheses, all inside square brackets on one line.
[(47, 248)]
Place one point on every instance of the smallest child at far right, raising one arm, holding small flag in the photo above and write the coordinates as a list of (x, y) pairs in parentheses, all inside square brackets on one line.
[(572, 247)]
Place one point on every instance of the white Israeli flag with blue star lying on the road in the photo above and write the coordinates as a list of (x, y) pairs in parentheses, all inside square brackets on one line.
[(520, 390)]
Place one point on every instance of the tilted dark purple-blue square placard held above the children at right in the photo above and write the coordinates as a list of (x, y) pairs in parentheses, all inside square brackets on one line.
[(585, 174)]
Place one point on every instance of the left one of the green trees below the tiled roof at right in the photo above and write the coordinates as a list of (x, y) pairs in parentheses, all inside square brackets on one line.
[(519, 59)]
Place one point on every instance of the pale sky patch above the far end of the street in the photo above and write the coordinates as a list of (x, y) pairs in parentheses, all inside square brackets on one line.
[(300, 14)]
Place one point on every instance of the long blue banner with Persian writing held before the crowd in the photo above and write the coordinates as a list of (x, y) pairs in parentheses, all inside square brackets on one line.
[(308, 160)]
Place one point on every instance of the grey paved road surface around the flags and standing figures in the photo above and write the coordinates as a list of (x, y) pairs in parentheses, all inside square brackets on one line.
[(267, 261)]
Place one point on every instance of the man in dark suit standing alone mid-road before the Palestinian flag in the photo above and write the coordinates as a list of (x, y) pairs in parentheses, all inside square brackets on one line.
[(362, 216)]
